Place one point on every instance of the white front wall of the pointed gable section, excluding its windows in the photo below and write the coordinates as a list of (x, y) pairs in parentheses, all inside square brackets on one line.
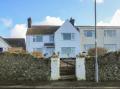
[(67, 27)]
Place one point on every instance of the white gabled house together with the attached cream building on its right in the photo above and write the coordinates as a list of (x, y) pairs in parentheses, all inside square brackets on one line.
[(69, 40)]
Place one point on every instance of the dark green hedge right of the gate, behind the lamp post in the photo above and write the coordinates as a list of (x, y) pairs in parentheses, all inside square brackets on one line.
[(109, 67)]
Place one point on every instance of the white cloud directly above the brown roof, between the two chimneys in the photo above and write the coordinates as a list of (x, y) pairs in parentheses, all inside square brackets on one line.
[(51, 21)]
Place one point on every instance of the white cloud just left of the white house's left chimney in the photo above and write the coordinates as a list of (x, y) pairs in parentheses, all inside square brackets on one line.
[(18, 31)]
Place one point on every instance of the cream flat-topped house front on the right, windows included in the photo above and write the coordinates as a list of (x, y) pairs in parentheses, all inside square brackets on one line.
[(107, 37)]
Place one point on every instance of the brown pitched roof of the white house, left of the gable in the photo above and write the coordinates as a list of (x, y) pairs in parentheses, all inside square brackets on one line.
[(42, 29)]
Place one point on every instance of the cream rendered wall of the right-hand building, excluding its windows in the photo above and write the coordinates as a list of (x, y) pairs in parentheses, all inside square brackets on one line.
[(101, 40)]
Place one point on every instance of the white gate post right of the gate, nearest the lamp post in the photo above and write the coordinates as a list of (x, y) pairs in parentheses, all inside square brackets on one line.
[(80, 67)]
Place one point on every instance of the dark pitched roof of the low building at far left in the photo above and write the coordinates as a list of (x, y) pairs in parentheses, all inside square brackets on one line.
[(16, 42)]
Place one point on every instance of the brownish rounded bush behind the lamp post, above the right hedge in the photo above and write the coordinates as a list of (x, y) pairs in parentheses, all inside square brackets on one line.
[(100, 51)]
